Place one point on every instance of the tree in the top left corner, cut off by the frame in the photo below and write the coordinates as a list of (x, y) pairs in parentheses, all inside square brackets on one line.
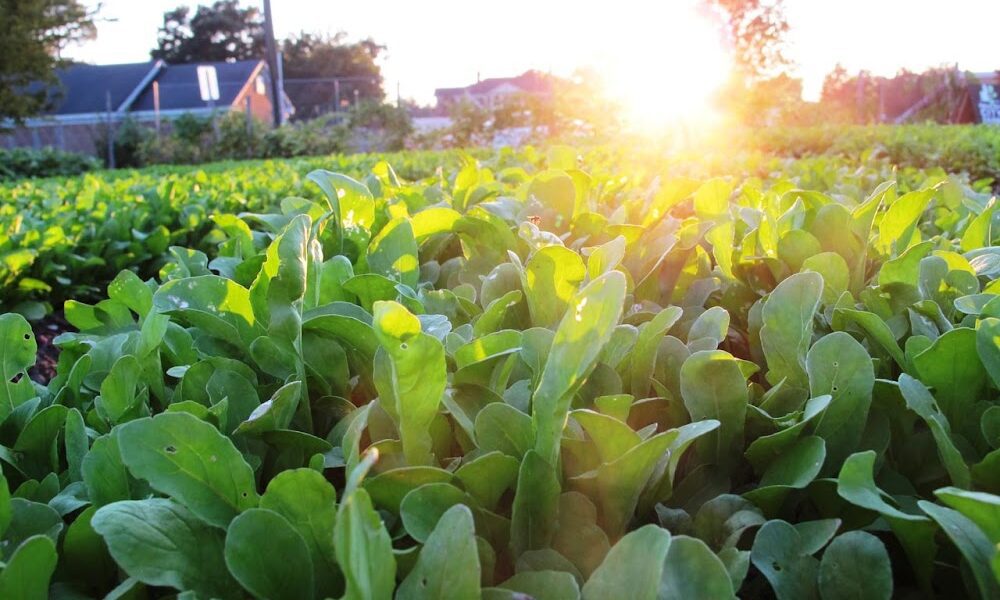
[(32, 35)]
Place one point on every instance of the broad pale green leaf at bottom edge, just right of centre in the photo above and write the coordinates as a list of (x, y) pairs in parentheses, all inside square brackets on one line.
[(633, 567)]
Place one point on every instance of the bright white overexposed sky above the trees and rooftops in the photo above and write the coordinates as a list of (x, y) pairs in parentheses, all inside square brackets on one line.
[(643, 48)]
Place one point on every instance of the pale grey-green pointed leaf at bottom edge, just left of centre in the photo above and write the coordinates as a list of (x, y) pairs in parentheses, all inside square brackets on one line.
[(448, 566)]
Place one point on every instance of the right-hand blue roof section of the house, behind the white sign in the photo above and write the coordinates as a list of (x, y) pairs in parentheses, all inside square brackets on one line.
[(179, 85)]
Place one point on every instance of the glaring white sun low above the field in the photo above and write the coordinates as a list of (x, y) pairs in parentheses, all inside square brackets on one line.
[(666, 69)]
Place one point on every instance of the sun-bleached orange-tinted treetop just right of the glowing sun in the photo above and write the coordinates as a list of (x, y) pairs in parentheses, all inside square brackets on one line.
[(756, 29)]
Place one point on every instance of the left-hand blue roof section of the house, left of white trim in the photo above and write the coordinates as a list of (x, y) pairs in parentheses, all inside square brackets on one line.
[(85, 88)]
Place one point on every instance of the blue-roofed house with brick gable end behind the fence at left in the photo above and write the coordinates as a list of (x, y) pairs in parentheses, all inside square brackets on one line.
[(88, 96)]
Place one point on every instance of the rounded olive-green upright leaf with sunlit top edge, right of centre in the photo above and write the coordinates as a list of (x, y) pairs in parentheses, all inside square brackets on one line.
[(713, 387)]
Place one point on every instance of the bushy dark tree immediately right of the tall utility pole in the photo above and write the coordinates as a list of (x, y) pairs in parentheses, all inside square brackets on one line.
[(309, 57)]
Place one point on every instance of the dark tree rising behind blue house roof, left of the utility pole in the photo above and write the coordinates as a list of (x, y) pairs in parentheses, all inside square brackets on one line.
[(222, 31)]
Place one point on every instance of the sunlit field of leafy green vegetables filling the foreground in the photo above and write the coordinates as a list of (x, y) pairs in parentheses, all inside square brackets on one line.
[(527, 374)]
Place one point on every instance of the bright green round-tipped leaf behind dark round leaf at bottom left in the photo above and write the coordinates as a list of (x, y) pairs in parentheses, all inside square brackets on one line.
[(309, 503)]
